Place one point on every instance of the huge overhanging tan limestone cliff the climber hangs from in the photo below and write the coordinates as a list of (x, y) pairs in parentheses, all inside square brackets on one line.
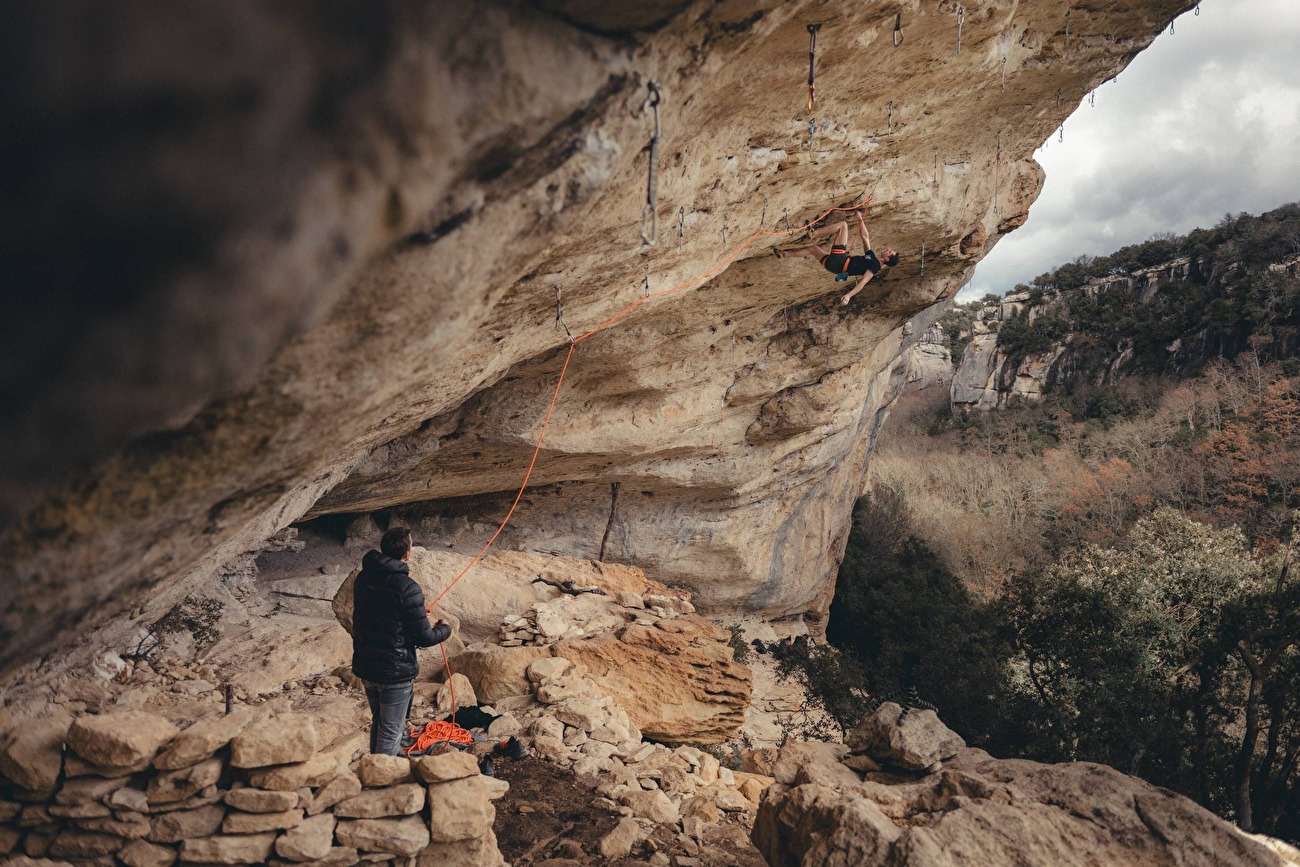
[(278, 262)]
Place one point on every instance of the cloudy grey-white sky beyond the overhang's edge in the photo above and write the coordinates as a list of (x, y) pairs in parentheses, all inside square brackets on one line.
[(1204, 123)]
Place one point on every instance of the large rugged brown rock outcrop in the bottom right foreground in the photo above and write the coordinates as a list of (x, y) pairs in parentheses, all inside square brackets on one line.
[(980, 810)]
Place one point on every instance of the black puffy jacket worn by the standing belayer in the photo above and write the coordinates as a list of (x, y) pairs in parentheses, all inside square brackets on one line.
[(389, 622)]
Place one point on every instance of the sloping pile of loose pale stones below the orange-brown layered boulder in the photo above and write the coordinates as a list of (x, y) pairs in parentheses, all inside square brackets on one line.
[(575, 726)]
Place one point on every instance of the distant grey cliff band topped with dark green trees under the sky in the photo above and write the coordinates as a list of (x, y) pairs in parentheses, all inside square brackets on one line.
[(1091, 323)]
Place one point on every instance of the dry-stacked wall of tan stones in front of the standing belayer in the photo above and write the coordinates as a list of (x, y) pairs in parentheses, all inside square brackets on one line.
[(132, 788)]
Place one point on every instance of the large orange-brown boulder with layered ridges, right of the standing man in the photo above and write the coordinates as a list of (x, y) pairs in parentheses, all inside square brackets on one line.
[(678, 680)]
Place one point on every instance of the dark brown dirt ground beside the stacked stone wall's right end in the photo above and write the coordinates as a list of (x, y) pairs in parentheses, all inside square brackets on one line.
[(552, 818)]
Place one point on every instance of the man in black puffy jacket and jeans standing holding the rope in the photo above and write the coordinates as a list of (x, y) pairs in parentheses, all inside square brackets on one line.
[(389, 622)]
